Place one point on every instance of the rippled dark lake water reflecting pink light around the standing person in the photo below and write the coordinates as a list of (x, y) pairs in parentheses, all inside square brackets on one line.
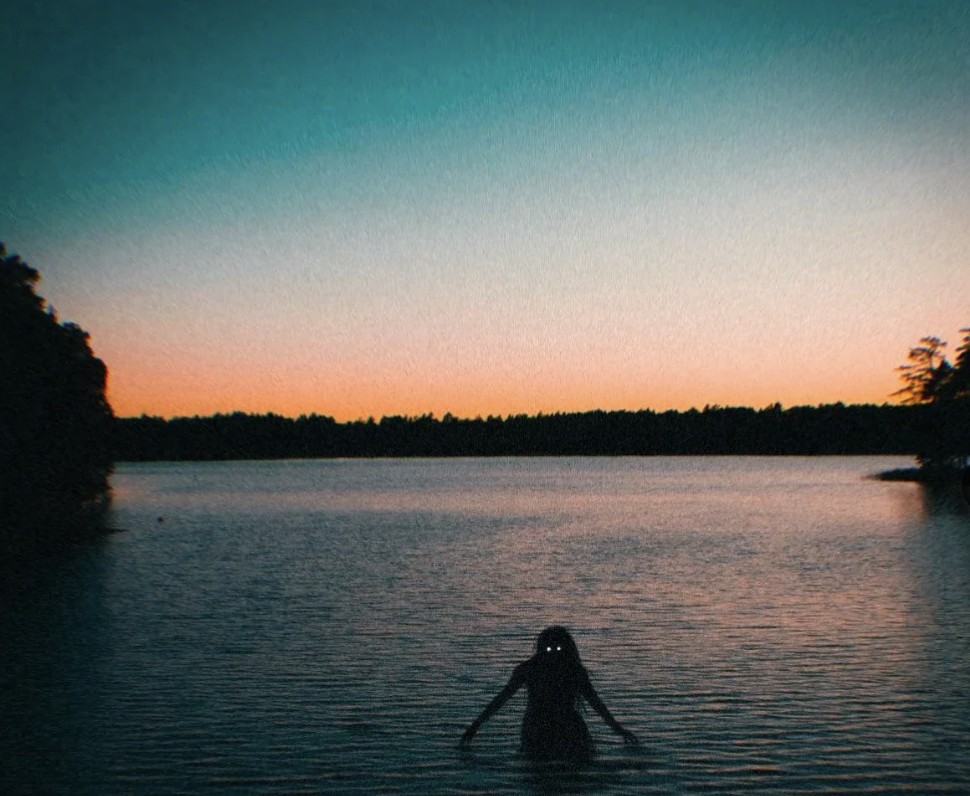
[(765, 625)]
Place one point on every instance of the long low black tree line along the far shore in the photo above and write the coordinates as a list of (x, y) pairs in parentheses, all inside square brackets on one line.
[(833, 429)]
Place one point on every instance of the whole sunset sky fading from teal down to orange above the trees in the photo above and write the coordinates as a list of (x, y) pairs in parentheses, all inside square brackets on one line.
[(369, 208)]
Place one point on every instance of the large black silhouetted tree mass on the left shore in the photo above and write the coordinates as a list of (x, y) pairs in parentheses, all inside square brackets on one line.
[(55, 422)]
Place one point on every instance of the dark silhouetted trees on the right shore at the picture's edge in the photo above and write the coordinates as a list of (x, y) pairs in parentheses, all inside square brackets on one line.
[(943, 389)]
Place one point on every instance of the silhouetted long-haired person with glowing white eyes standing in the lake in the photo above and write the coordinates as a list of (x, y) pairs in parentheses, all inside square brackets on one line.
[(556, 679)]
